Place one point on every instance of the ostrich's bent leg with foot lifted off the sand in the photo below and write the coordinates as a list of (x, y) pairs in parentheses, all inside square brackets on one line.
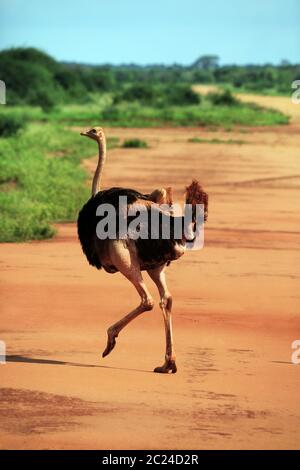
[(126, 262)]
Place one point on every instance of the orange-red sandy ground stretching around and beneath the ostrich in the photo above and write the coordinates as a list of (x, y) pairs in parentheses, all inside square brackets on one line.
[(236, 313)]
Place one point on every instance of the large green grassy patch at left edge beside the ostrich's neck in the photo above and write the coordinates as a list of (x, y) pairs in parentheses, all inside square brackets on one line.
[(41, 181)]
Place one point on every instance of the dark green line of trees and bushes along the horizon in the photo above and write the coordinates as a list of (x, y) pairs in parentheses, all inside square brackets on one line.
[(33, 77)]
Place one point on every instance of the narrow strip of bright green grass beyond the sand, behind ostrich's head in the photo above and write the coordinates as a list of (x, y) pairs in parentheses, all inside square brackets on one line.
[(103, 112)]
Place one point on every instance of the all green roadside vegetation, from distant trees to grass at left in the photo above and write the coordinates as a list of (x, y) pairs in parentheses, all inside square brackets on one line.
[(41, 180)]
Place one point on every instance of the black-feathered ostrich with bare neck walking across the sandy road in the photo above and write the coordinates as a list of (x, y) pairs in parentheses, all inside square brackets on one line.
[(129, 256)]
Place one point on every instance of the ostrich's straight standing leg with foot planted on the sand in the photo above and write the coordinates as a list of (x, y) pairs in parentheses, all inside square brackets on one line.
[(158, 276)]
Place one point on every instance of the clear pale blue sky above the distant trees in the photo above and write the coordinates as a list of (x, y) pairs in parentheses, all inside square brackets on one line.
[(154, 31)]
